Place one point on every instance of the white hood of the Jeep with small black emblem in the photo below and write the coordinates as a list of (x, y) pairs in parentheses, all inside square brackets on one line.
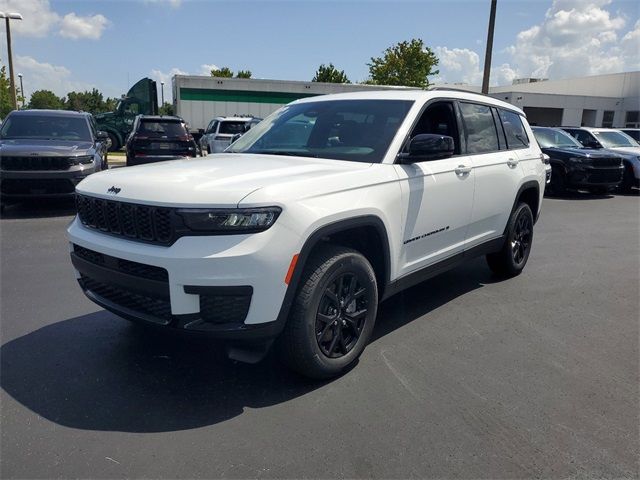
[(217, 180)]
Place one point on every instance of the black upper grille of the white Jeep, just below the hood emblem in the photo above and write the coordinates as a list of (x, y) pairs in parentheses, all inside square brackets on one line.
[(130, 220)]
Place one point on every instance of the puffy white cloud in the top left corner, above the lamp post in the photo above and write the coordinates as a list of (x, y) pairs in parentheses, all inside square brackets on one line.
[(39, 20)]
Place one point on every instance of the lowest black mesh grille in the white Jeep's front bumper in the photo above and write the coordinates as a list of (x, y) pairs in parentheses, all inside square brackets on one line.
[(145, 304)]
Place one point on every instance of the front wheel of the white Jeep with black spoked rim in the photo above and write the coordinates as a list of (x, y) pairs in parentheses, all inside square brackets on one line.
[(328, 327)]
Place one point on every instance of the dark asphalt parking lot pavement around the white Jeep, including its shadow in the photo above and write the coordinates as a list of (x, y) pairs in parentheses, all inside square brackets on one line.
[(466, 377)]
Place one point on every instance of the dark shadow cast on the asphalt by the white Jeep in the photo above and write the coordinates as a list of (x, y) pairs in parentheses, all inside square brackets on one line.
[(98, 372)]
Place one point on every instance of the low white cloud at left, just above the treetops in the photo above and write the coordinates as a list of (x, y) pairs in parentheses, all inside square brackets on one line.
[(45, 76)]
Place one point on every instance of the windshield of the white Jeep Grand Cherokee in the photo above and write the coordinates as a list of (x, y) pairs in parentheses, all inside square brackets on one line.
[(354, 130)]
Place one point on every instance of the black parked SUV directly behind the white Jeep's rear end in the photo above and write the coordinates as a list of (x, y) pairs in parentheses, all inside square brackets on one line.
[(576, 167)]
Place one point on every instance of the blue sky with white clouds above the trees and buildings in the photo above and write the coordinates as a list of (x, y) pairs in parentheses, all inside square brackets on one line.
[(66, 45)]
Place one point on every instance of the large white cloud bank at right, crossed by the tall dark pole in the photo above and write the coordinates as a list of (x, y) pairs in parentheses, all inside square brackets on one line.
[(575, 38)]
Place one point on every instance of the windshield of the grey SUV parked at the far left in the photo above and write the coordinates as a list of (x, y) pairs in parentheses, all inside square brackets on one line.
[(46, 127)]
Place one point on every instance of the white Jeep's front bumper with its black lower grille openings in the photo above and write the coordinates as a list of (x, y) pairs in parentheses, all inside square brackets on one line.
[(231, 287)]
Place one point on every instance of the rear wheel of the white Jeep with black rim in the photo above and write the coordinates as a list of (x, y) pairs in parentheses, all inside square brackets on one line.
[(513, 256)]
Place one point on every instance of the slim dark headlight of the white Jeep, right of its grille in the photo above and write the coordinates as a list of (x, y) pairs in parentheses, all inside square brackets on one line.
[(227, 221)]
